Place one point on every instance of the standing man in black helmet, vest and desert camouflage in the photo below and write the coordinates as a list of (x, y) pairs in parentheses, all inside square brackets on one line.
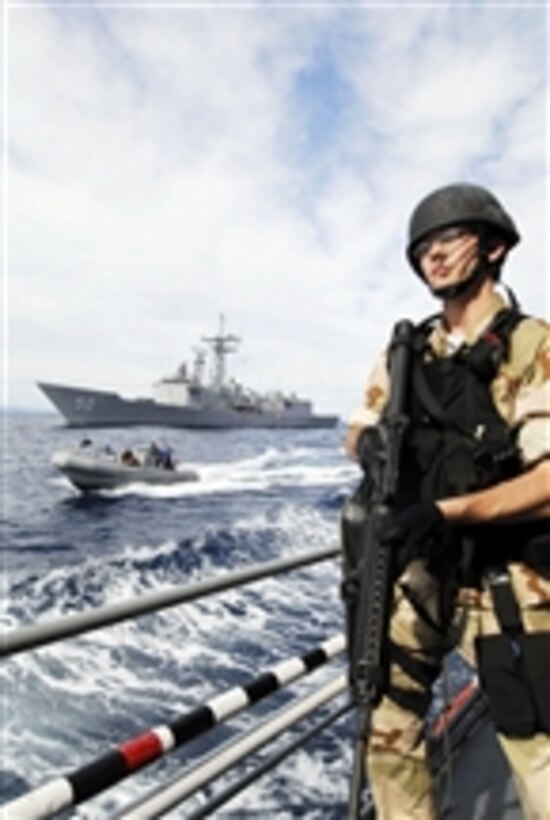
[(471, 526)]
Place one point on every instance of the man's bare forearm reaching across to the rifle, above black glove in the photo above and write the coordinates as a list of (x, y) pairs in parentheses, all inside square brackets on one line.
[(526, 496)]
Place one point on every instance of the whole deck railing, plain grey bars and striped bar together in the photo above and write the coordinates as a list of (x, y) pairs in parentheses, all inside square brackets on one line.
[(49, 799)]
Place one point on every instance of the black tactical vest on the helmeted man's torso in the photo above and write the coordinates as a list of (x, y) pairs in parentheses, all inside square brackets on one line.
[(457, 441)]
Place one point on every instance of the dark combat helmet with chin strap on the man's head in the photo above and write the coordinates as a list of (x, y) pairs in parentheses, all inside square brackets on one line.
[(459, 204)]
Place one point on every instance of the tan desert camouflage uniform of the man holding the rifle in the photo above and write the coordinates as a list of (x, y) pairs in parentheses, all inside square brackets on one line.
[(396, 763)]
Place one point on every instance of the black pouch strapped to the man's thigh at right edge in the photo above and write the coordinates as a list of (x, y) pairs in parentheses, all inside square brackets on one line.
[(514, 672)]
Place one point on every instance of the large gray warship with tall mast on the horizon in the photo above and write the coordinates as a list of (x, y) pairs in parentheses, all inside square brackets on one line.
[(188, 399)]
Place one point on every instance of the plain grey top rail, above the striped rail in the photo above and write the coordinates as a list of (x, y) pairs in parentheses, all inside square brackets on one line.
[(32, 637)]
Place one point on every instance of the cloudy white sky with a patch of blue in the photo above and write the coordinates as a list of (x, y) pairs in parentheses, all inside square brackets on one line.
[(166, 163)]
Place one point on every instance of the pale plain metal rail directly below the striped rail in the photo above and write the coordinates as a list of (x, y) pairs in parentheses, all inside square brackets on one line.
[(232, 753)]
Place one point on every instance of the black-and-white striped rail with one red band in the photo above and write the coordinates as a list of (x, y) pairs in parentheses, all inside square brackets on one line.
[(138, 752)]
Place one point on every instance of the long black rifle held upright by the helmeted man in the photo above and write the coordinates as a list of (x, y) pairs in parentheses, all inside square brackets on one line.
[(369, 667)]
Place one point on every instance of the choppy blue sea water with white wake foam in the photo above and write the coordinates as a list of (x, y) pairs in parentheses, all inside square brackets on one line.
[(263, 495)]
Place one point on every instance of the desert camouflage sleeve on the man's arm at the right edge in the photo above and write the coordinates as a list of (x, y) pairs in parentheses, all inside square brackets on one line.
[(532, 405)]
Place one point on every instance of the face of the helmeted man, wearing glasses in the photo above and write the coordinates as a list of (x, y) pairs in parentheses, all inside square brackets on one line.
[(448, 256)]
